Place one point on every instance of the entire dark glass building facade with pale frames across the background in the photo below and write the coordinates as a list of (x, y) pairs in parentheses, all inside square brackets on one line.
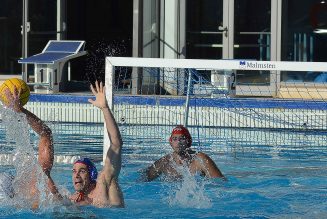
[(211, 29)]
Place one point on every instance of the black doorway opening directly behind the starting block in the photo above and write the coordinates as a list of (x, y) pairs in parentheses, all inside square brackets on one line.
[(107, 28)]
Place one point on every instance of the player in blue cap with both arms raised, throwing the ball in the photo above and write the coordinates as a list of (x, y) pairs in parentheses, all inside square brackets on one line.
[(91, 188)]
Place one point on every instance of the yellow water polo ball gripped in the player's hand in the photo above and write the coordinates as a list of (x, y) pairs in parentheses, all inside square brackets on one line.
[(20, 86)]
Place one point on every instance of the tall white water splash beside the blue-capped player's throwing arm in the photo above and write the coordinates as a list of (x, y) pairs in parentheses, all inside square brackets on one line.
[(27, 169)]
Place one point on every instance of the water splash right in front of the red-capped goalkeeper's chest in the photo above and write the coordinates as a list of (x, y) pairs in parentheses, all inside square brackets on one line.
[(189, 192)]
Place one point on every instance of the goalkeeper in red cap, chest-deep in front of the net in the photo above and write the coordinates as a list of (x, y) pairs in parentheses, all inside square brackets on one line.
[(197, 162)]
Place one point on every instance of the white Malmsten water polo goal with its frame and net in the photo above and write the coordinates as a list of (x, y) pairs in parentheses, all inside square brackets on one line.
[(219, 104)]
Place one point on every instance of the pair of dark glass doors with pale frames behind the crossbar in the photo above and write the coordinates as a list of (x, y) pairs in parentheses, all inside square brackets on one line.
[(249, 29)]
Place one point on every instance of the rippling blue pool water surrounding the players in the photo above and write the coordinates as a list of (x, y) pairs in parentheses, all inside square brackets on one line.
[(264, 181)]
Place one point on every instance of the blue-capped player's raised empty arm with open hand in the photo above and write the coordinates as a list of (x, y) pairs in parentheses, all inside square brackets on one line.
[(112, 164)]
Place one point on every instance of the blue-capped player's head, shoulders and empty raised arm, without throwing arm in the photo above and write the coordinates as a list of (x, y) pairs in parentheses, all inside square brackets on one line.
[(100, 189)]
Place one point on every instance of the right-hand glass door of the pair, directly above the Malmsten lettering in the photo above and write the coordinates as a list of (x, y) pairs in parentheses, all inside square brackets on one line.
[(252, 38)]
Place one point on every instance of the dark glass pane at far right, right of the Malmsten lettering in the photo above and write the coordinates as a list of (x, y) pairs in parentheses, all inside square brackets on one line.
[(304, 37)]
